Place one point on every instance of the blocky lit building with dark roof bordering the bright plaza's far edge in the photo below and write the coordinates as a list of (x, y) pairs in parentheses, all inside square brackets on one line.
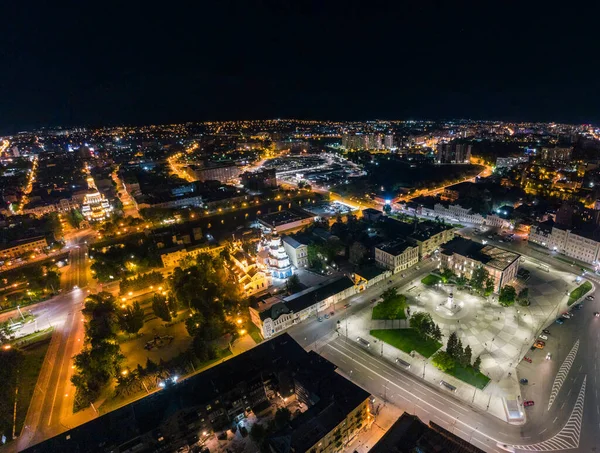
[(463, 256)]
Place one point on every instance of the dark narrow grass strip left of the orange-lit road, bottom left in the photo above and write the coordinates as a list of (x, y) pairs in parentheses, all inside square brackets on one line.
[(33, 358)]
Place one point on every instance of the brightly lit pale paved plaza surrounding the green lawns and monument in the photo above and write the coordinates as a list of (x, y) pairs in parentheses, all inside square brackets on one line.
[(500, 336)]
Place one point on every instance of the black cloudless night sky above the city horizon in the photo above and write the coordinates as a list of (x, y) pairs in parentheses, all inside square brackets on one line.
[(103, 63)]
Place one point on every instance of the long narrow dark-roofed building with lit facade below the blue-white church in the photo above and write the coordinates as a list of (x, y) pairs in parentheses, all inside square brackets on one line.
[(278, 314)]
